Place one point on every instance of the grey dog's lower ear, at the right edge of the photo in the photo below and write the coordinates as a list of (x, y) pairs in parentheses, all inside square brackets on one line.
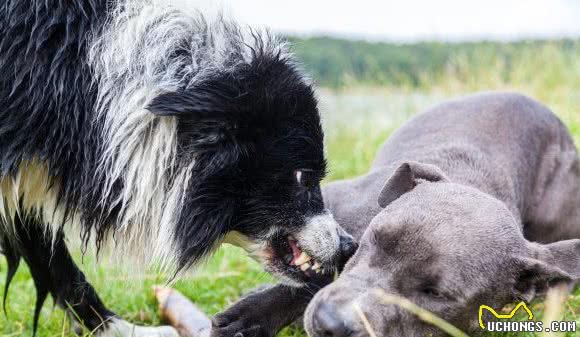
[(549, 265)]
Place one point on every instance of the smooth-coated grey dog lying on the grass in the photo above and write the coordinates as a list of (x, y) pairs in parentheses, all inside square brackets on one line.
[(475, 201)]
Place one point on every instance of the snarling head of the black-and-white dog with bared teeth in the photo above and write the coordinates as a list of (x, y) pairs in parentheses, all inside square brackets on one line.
[(252, 139)]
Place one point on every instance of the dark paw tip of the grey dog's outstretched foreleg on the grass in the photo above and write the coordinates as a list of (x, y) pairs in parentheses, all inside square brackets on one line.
[(232, 323)]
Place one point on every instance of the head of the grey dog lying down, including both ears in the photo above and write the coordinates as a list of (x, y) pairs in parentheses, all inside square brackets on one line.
[(446, 247)]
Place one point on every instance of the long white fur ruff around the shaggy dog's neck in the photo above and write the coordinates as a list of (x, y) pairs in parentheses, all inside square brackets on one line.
[(134, 60)]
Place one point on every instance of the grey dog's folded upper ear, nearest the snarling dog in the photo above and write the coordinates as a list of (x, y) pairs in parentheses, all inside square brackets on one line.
[(406, 178)]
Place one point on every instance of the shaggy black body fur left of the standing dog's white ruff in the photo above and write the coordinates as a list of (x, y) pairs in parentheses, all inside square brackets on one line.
[(47, 97)]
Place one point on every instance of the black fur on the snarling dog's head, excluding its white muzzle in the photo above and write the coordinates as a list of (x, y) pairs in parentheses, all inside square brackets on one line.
[(248, 131)]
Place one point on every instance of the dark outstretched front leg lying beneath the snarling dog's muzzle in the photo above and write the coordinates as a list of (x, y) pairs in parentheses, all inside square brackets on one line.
[(263, 313)]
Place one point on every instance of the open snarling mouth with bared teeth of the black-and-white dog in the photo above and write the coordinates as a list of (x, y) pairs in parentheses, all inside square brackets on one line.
[(291, 260)]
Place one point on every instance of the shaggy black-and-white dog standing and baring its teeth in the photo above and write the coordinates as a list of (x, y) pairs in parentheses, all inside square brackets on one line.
[(159, 130)]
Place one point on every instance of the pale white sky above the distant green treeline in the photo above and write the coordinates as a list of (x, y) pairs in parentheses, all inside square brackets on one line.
[(412, 20)]
